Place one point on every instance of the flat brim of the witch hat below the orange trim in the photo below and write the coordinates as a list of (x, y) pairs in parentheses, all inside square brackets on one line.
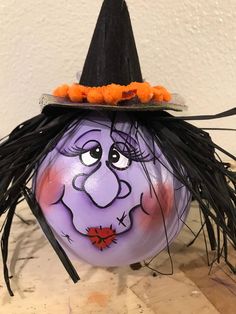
[(49, 102)]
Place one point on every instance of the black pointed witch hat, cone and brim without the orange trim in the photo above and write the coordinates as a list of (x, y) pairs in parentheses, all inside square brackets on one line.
[(112, 59)]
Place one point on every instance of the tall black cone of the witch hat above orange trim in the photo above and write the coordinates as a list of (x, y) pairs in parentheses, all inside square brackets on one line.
[(112, 55)]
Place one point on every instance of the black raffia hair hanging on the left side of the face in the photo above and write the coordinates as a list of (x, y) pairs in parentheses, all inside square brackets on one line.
[(20, 152)]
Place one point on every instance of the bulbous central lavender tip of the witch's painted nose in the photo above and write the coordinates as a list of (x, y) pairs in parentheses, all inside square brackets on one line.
[(103, 186)]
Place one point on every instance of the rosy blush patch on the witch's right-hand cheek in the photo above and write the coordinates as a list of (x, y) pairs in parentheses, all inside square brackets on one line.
[(156, 206)]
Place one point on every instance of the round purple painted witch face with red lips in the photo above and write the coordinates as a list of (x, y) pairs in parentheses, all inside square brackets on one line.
[(108, 192)]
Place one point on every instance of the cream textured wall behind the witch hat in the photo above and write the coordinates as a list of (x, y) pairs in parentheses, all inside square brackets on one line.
[(188, 46)]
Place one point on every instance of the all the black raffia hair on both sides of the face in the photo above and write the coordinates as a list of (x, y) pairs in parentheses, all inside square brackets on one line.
[(210, 181)]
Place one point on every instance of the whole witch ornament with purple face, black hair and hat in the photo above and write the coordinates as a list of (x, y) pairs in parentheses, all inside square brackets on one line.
[(113, 173)]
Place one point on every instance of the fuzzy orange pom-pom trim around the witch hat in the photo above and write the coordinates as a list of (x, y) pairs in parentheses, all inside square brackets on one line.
[(113, 94)]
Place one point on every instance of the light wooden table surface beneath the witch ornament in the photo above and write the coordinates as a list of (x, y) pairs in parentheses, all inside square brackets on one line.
[(41, 285)]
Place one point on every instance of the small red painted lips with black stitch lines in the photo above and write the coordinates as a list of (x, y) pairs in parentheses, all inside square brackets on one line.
[(101, 238)]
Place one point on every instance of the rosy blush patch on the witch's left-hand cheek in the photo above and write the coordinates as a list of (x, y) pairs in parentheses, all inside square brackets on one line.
[(49, 188)]
